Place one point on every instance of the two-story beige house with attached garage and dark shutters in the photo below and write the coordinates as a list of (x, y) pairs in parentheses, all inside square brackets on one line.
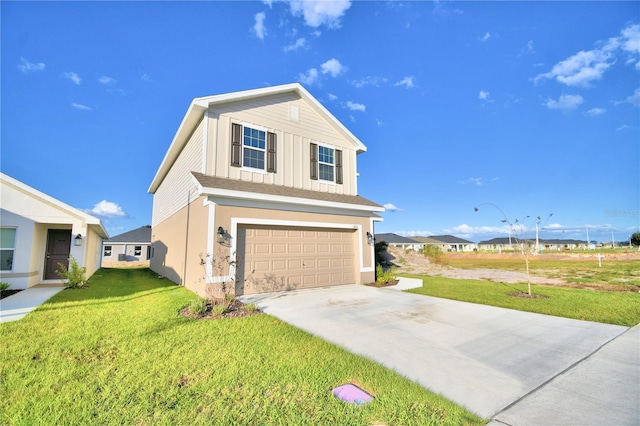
[(258, 192)]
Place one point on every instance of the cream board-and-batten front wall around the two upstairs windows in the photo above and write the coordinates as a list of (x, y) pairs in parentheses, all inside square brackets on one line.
[(294, 137)]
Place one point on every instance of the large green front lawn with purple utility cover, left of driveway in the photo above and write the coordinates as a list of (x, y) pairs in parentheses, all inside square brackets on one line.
[(118, 352)]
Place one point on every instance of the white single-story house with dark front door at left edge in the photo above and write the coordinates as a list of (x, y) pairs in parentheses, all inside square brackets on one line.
[(38, 231)]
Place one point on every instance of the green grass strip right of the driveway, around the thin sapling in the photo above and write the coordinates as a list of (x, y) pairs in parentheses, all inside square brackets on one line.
[(622, 308)]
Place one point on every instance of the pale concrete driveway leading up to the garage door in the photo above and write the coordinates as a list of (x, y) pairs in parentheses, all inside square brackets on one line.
[(490, 360)]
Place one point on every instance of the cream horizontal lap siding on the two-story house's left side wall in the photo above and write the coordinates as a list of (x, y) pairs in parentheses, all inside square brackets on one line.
[(177, 185)]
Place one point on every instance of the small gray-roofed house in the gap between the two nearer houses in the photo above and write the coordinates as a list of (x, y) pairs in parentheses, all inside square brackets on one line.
[(132, 248)]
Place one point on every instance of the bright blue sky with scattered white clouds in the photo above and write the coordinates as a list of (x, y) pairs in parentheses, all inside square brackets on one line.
[(532, 108)]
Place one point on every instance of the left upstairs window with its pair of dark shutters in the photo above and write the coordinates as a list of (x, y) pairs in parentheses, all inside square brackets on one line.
[(253, 148)]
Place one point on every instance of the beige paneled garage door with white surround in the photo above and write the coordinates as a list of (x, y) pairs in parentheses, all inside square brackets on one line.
[(282, 258)]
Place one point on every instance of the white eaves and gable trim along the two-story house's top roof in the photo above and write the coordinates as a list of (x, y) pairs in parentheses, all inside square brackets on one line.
[(198, 106)]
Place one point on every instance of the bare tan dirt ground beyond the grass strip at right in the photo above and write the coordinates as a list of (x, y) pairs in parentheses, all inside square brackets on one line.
[(410, 262)]
